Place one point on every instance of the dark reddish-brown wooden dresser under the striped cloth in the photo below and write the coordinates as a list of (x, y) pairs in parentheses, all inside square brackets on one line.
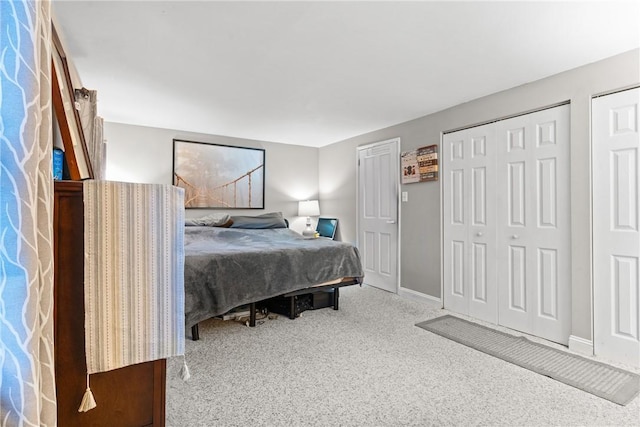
[(130, 396)]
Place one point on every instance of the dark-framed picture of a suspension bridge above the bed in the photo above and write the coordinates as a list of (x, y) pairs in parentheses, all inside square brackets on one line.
[(217, 176)]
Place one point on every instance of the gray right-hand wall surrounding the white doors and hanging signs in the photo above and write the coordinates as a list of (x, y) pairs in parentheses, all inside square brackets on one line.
[(420, 248)]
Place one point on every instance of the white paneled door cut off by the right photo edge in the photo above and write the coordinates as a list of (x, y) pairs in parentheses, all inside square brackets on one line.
[(616, 239)]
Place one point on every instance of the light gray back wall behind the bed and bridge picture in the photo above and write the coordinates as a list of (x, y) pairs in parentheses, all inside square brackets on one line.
[(145, 155)]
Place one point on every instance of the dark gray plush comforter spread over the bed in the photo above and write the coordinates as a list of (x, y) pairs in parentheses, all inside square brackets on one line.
[(227, 267)]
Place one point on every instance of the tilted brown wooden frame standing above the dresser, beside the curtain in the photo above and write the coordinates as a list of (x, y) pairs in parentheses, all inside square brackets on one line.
[(75, 147)]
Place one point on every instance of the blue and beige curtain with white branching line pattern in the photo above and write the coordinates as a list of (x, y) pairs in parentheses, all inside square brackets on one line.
[(27, 388)]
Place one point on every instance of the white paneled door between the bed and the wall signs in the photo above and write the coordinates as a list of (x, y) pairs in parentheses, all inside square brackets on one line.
[(378, 176)]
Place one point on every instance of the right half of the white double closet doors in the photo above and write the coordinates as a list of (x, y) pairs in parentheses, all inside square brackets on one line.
[(534, 232)]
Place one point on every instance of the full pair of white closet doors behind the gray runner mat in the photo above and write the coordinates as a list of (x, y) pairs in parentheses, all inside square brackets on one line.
[(506, 223)]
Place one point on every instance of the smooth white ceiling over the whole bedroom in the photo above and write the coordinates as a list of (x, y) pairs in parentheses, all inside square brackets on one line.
[(313, 73)]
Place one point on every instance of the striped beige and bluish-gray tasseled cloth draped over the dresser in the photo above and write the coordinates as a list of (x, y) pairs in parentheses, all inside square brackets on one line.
[(134, 273)]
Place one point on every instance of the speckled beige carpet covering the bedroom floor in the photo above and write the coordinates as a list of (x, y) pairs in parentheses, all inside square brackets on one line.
[(366, 365)]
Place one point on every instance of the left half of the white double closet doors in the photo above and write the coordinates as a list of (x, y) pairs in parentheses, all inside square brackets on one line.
[(469, 222)]
